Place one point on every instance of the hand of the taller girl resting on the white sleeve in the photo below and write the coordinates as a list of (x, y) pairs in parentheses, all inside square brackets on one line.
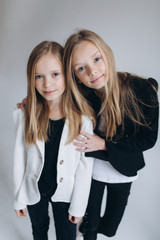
[(89, 143)]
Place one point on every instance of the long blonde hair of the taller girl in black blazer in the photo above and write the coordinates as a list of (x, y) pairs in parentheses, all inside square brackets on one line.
[(118, 100)]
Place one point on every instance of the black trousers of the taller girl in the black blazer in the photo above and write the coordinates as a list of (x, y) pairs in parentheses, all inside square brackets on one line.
[(117, 197)]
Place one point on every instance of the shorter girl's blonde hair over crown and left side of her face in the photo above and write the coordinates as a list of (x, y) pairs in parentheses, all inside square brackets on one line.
[(37, 111)]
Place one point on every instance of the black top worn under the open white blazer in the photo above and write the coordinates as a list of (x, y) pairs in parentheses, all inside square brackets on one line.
[(48, 180)]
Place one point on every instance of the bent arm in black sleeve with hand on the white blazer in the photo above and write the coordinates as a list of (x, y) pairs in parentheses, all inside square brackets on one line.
[(145, 137)]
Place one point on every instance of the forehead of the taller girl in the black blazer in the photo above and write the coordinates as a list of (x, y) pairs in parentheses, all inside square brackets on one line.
[(84, 50)]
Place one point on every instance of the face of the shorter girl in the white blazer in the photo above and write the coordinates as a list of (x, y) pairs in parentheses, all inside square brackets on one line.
[(49, 78)]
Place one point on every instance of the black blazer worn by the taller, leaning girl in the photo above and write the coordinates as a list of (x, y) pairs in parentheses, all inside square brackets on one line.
[(125, 152)]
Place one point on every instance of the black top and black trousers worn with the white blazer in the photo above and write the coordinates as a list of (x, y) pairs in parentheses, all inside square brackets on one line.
[(47, 185)]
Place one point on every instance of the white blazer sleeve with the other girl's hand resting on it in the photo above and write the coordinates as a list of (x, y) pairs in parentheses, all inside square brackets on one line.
[(83, 178)]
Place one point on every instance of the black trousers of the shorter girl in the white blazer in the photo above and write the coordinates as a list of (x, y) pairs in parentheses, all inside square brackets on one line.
[(65, 230)]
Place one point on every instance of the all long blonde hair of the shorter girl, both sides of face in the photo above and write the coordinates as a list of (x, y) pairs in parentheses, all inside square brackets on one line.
[(37, 111)]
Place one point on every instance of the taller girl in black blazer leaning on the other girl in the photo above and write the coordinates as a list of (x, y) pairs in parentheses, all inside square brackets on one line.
[(126, 107)]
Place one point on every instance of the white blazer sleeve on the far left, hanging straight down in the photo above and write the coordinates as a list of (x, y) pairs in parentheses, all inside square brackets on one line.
[(19, 156)]
